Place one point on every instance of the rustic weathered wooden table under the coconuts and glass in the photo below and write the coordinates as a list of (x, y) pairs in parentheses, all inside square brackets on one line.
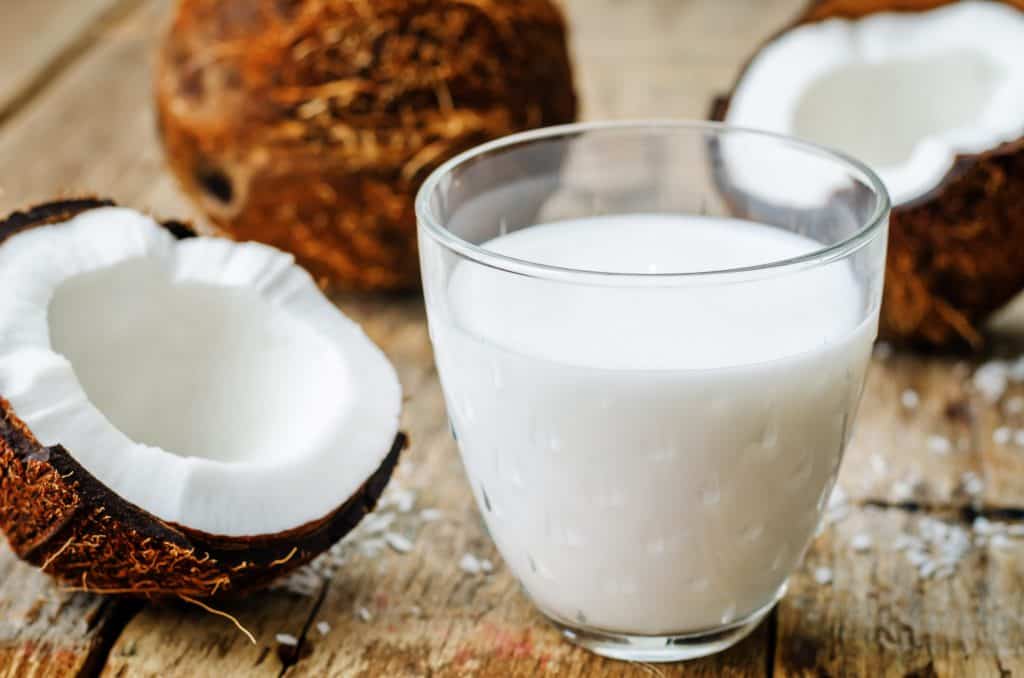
[(75, 116)]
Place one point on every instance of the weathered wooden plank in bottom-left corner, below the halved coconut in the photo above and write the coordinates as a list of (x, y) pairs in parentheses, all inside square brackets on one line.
[(44, 631)]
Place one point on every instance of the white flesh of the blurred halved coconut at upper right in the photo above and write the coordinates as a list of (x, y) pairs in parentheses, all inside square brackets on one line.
[(906, 93)]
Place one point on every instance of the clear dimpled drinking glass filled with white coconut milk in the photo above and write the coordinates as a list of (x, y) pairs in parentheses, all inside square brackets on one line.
[(653, 341)]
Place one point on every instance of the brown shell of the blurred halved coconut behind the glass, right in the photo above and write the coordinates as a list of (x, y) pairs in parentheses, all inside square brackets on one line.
[(955, 253)]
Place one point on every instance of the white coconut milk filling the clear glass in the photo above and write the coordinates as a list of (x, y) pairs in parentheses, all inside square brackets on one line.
[(653, 460)]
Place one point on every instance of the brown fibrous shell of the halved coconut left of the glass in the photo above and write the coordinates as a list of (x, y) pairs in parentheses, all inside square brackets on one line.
[(60, 518)]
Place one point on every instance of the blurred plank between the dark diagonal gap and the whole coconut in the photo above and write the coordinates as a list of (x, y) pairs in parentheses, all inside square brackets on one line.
[(92, 133)]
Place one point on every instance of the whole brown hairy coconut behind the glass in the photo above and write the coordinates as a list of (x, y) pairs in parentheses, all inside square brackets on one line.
[(311, 124)]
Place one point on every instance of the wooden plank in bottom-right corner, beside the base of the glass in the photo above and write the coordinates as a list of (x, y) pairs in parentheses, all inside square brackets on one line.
[(879, 617)]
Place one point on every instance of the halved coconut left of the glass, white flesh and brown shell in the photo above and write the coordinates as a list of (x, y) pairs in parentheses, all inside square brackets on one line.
[(180, 416)]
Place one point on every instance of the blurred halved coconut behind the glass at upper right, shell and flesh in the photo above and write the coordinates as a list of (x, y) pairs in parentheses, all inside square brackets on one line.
[(930, 94)]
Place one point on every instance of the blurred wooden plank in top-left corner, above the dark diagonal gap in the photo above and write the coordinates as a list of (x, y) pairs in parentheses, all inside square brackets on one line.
[(38, 38)]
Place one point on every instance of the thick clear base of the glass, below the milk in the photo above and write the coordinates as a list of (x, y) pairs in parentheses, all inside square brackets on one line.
[(665, 649)]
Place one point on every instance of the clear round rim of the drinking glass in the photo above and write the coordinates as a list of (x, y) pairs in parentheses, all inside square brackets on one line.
[(430, 223)]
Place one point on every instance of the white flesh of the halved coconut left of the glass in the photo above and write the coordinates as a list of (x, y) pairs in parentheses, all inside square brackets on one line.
[(208, 383)]
